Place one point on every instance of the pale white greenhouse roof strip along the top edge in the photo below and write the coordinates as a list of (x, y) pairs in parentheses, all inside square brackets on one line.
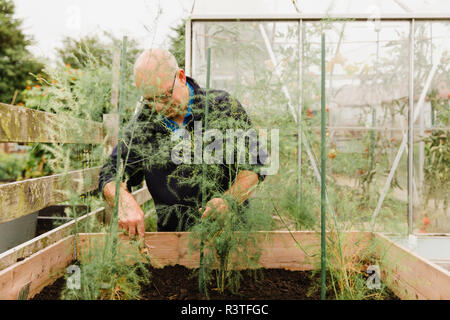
[(291, 9)]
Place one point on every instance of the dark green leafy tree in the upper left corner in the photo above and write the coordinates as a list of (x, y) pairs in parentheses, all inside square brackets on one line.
[(16, 62)]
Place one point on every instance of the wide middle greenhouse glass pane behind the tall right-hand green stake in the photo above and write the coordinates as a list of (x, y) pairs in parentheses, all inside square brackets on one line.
[(367, 73)]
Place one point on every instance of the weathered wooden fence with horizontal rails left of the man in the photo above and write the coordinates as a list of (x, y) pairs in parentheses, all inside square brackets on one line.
[(18, 199)]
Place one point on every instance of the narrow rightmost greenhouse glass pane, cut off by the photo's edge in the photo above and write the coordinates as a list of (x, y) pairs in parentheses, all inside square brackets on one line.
[(432, 129)]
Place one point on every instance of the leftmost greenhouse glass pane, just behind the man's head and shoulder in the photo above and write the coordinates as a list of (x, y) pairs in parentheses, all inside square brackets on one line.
[(258, 64)]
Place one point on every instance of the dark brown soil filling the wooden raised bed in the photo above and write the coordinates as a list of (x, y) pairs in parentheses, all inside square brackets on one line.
[(180, 283)]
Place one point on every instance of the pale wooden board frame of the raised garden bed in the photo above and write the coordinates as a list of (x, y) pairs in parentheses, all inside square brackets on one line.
[(405, 273)]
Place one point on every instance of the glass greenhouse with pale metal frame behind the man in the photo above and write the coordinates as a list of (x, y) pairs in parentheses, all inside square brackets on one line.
[(377, 71)]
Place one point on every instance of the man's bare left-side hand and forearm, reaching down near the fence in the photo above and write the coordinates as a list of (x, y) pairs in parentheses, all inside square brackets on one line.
[(131, 216)]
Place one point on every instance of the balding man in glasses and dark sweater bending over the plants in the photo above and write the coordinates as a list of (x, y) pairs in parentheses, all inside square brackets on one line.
[(173, 101)]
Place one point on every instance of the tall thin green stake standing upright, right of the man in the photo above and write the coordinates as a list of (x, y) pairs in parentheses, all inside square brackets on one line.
[(322, 179)]
